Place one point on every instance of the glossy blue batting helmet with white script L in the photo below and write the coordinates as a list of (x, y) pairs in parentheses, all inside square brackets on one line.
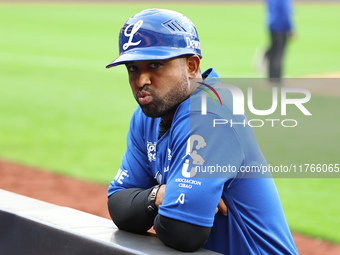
[(156, 34)]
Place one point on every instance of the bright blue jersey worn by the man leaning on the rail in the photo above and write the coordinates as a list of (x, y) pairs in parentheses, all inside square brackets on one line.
[(192, 159)]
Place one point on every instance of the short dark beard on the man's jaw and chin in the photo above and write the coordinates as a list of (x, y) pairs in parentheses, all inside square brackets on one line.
[(161, 107)]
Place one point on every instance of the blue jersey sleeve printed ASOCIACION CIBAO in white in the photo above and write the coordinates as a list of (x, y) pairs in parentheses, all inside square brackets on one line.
[(199, 169)]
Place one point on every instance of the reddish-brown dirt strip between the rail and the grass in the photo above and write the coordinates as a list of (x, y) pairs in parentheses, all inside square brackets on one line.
[(91, 198)]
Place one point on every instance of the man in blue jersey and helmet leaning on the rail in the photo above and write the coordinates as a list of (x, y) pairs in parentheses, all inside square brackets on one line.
[(167, 175)]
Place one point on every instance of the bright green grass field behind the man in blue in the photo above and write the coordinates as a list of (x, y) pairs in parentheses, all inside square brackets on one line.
[(61, 110)]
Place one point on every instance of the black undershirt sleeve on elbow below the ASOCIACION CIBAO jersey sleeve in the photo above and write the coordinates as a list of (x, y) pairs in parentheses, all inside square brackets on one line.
[(180, 235)]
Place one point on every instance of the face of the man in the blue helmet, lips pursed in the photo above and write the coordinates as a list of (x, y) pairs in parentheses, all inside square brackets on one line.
[(159, 86)]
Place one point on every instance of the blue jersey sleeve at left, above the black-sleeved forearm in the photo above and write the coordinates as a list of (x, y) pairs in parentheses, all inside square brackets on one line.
[(134, 171)]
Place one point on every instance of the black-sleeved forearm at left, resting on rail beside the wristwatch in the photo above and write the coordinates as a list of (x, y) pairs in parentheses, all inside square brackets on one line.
[(128, 210)]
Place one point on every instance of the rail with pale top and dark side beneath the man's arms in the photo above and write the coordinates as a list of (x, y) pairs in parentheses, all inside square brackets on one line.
[(30, 226)]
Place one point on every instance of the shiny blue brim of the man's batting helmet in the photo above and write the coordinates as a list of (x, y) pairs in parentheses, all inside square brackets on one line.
[(149, 53)]
